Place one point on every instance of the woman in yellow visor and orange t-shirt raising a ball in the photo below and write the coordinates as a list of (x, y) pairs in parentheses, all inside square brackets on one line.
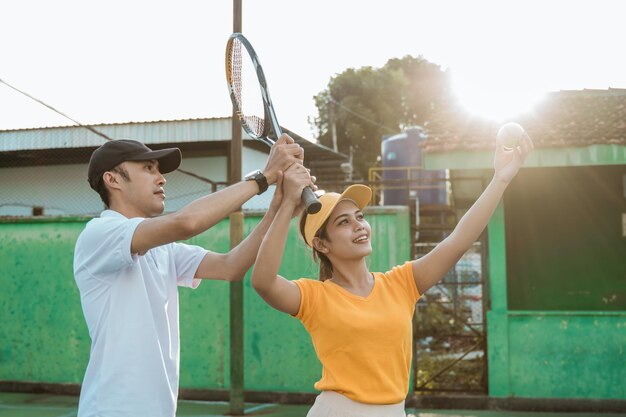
[(359, 321)]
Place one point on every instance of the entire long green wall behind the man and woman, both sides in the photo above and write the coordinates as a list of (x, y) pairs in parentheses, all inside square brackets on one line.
[(44, 336)]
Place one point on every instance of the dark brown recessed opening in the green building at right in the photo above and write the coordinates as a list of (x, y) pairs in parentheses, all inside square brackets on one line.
[(564, 244)]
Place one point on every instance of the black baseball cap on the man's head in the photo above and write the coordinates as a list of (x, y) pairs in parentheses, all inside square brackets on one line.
[(114, 152)]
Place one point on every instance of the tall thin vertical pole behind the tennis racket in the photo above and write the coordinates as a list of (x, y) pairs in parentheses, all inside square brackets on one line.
[(236, 236)]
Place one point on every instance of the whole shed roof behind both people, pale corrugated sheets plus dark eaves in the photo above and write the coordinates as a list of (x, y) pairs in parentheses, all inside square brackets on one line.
[(42, 146)]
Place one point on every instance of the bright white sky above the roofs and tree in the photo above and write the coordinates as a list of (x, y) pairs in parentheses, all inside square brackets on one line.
[(122, 61)]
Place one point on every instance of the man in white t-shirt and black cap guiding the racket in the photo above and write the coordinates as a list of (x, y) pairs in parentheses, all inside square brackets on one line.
[(127, 267)]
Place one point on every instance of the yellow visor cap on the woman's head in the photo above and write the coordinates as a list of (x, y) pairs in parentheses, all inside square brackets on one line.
[(360, 194)]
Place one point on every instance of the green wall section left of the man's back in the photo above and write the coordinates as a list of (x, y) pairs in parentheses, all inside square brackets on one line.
[(42, 331)]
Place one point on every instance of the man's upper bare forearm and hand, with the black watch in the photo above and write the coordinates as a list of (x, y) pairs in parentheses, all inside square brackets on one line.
[(205, 212)]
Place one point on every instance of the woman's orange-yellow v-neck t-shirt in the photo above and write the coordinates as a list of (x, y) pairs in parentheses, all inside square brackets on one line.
[(364, 343)]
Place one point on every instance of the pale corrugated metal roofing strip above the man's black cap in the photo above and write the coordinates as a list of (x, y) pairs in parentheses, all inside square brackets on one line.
[(164, 131)]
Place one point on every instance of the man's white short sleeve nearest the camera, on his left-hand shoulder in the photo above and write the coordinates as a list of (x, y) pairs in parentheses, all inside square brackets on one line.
[(104, 246)]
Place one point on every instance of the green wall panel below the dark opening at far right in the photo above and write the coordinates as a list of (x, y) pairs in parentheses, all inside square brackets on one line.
[(558, 354)]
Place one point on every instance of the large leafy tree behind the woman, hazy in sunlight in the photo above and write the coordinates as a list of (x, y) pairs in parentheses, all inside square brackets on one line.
[(367, 104)]
